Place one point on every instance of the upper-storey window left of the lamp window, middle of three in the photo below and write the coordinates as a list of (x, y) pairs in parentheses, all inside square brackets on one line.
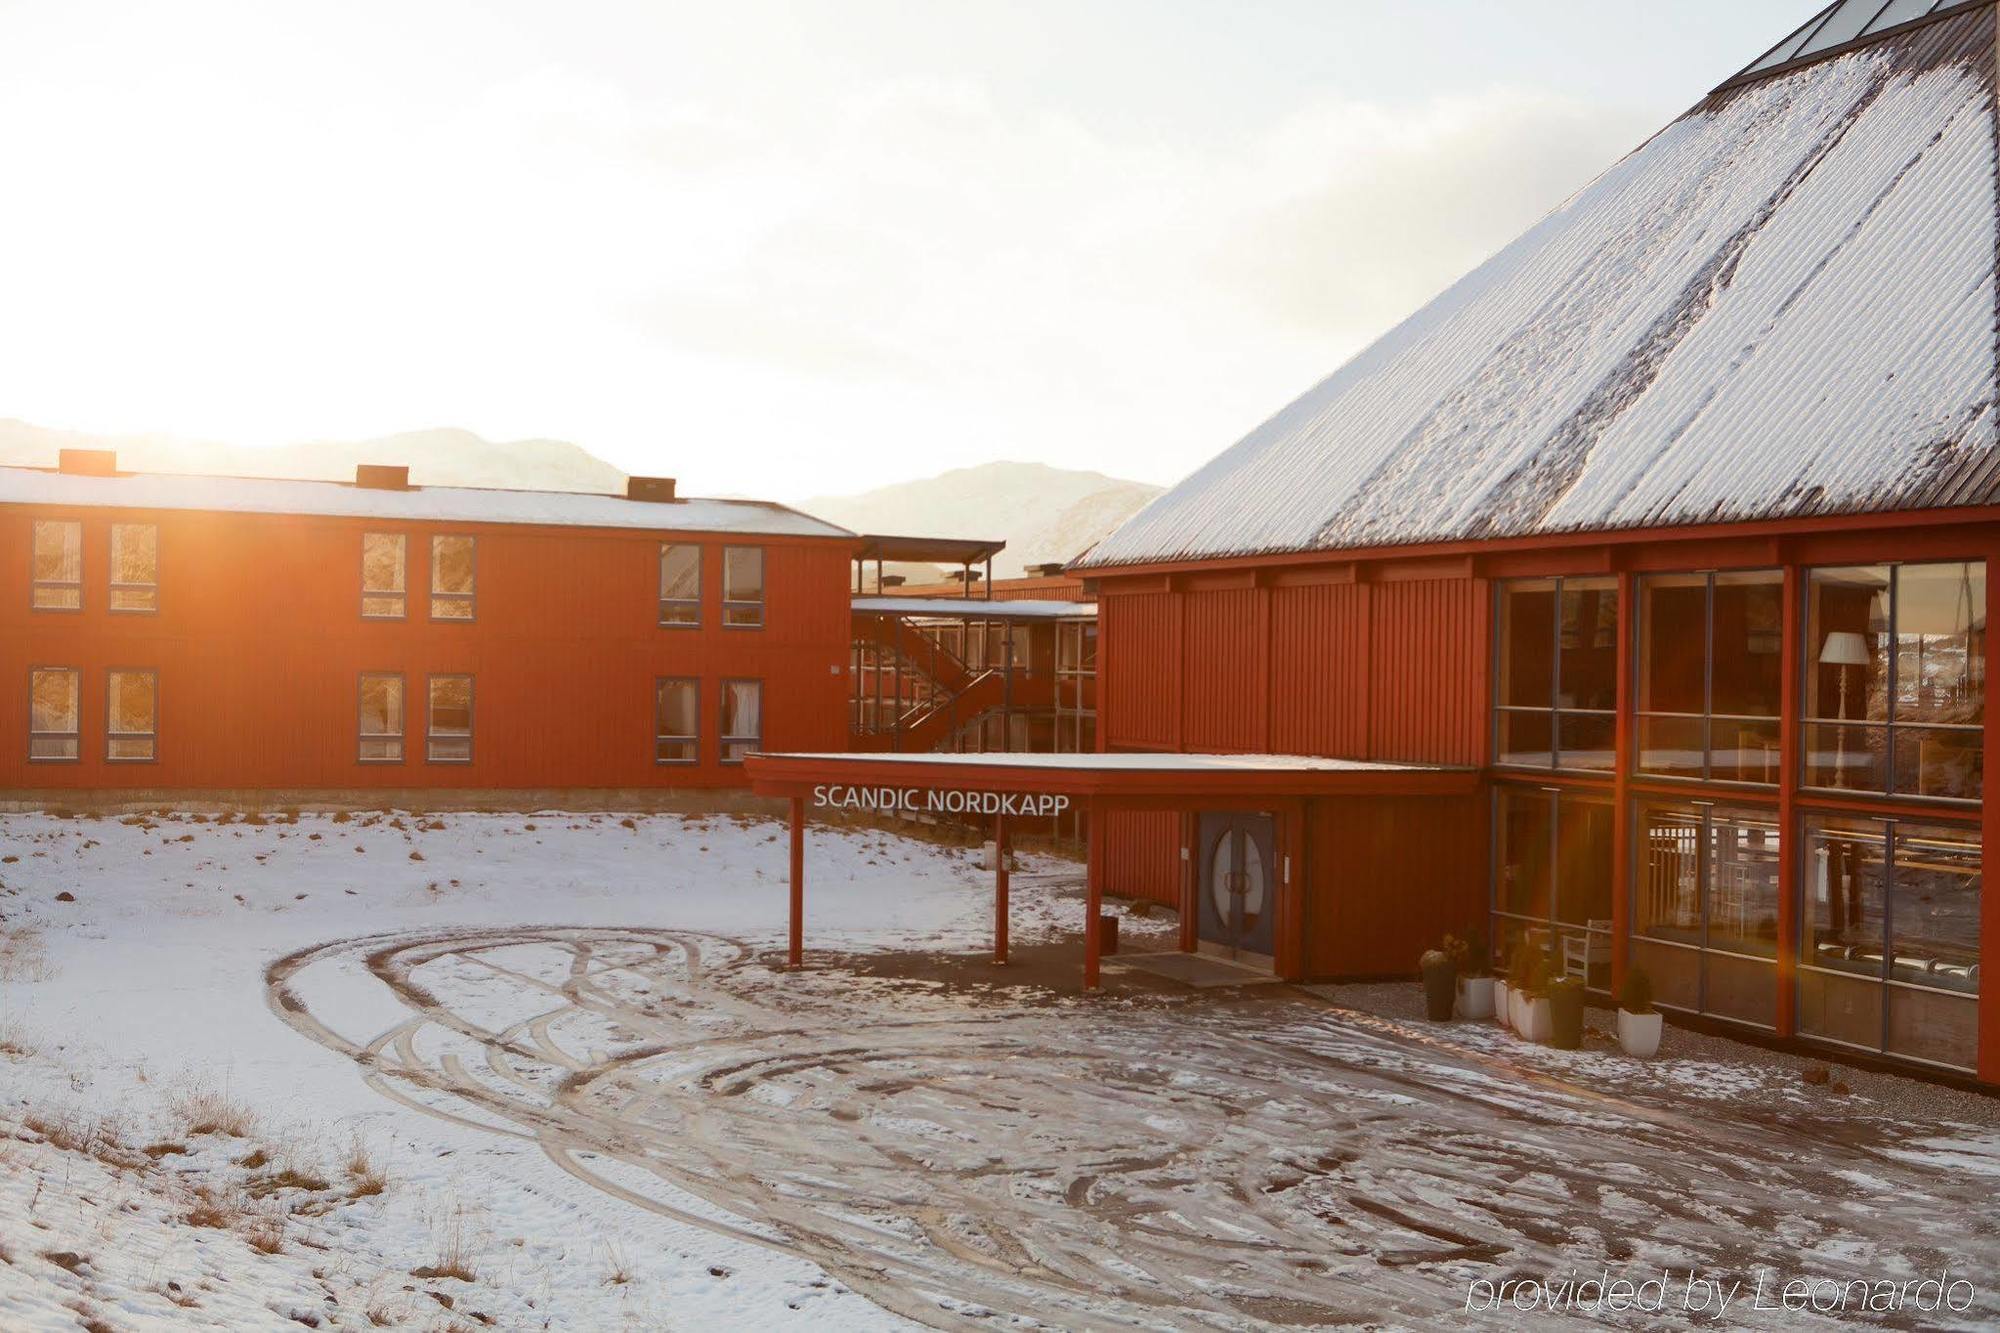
[(1711, 670)]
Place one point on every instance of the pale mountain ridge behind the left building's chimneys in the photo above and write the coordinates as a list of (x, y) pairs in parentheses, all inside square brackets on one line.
[(435, 457)]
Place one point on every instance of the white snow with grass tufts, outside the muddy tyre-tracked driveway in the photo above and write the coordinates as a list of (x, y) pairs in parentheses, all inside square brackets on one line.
[(133, 958)]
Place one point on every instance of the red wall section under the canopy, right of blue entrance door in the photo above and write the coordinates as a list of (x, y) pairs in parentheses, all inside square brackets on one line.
[(1389, 878)]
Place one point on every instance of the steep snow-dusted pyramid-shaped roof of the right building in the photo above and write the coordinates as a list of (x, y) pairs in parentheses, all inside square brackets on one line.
[(1781, 305)]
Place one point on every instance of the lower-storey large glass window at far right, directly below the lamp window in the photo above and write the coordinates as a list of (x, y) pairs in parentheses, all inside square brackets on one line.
[(1891, 938)]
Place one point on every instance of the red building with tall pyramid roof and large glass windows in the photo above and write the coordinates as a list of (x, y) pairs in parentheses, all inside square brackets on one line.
[(1673, 521)]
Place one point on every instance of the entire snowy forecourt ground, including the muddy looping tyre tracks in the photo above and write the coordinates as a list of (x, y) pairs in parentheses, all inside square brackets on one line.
[(547, 1074)]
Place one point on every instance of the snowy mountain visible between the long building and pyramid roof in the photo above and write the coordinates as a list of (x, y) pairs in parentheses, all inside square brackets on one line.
[(1043, 513)]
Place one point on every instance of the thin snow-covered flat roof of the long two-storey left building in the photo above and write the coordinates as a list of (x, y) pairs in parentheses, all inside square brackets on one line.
[(261, 495)]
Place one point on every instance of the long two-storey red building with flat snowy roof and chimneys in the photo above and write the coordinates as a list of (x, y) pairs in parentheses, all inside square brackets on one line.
[(283, 639)]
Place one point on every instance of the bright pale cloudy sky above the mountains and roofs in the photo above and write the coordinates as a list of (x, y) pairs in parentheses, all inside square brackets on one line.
[(783, 247)]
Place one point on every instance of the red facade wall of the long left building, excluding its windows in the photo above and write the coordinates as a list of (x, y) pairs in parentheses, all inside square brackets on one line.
[(259, 645)]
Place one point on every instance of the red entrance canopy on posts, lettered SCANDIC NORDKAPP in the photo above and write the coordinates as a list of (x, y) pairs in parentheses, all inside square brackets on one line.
[(1005, 786)]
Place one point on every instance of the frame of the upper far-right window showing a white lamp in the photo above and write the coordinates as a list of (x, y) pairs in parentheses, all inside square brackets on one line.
[(1889, 728)]
